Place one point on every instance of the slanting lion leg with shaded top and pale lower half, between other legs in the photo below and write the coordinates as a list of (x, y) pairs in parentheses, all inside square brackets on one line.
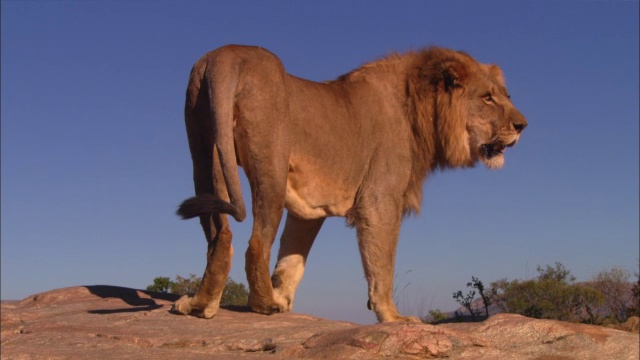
[(295, 243)]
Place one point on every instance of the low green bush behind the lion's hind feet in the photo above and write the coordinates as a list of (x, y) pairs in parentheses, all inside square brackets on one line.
[(233, 294)]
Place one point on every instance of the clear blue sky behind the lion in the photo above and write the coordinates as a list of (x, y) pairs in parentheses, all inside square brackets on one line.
[(95, 156)]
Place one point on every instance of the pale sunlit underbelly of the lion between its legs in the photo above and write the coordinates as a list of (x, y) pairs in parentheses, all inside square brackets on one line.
[(309, 197)]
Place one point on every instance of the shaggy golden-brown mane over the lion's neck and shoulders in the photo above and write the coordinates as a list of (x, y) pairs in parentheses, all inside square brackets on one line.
[(430, 97)]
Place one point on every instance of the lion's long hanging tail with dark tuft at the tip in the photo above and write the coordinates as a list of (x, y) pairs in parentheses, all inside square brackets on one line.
[(222, 86)]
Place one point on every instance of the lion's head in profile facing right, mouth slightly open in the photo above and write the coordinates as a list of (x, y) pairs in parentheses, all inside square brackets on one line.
[(474, 117)]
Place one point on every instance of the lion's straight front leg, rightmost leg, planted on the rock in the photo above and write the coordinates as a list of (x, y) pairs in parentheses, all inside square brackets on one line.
[(378, 229)]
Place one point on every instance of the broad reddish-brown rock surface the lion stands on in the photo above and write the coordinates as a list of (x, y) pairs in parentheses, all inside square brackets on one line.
[(107, 322)]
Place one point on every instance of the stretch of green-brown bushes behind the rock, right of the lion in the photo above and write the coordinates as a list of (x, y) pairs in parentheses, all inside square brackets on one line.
[(607, 298)]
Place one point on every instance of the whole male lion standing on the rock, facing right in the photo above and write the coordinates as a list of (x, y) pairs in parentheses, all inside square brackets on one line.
[(357, 147)]
